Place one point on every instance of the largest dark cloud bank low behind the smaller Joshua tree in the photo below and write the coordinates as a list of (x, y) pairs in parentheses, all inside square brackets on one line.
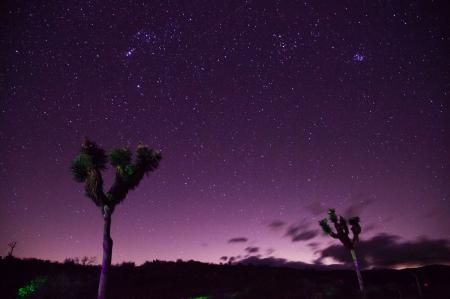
[(386, 250)]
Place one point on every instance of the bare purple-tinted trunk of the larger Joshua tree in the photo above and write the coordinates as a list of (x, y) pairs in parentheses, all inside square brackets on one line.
[(107, 253)]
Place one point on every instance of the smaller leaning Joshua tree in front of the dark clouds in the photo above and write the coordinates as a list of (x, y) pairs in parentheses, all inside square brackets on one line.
[(342, 233)]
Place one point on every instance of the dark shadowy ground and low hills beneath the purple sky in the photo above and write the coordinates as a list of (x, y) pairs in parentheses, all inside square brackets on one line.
[(198, 280)]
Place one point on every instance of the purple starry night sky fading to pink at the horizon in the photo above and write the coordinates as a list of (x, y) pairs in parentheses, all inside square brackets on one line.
[(266, 112)]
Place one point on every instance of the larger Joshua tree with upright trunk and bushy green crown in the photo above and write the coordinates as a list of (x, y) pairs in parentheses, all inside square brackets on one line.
[(87, 167)]
